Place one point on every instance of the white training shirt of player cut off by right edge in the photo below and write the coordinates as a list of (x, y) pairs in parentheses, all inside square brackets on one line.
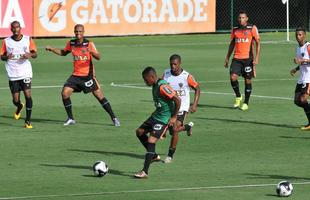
[(302, 52)]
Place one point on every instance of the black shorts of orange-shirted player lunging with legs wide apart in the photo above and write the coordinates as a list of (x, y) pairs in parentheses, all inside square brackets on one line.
[(81, 83)]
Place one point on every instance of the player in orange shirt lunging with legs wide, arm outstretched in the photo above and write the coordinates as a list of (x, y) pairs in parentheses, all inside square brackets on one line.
[(83, 77)]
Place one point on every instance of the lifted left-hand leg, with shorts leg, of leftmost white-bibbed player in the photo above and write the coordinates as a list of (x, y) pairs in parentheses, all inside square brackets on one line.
[(15, 91)]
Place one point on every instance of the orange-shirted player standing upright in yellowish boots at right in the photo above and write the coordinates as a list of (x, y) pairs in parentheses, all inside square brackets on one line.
[(242, 41)]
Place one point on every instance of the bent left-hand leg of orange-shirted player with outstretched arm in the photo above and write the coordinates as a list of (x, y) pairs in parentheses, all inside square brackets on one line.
[(66, 94)]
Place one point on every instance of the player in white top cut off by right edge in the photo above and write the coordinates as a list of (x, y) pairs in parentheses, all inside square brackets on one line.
[(302, 58)]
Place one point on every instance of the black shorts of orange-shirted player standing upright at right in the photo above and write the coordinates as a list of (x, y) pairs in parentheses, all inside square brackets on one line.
[(242, 67)]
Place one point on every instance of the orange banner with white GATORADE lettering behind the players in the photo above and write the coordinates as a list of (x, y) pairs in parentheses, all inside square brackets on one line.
[(123, 17)]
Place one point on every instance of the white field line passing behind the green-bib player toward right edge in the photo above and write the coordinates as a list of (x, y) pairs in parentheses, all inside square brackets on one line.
[(203, 92)]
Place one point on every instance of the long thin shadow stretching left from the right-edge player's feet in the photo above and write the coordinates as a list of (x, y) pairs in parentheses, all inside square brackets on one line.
[(247, 122)]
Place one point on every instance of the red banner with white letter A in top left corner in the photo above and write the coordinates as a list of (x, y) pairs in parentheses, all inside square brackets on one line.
[(16, 10)]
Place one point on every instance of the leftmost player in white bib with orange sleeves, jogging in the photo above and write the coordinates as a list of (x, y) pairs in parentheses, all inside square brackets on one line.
[(16, 51)]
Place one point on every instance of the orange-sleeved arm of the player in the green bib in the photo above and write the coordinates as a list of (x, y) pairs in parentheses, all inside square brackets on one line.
[(167, 92)]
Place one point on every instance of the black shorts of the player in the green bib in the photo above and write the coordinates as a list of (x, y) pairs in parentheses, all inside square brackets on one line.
[(156, 128)]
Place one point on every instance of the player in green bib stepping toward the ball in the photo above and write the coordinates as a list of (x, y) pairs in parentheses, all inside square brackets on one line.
[(167, 105)]
